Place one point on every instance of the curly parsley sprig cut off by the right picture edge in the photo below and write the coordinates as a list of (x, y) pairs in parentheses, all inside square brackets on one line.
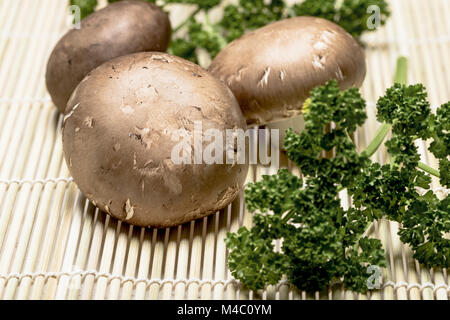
[(392, 190)]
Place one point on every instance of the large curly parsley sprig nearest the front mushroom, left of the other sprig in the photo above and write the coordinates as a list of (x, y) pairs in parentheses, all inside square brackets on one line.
[(321, 242)]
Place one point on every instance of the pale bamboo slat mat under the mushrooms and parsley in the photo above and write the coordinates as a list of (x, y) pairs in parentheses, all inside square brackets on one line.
[(55, 245)]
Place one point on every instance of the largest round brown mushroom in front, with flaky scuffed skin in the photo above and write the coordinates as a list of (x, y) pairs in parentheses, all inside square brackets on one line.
[(117, 139)]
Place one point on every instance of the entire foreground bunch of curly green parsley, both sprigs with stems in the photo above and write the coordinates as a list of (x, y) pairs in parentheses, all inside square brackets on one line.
[(320, 241)]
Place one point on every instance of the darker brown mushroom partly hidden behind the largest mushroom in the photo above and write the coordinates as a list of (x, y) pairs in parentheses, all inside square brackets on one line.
[(119, 29)]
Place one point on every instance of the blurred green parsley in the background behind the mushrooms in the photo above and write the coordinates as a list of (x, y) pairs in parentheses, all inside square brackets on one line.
[(247, 15)]
